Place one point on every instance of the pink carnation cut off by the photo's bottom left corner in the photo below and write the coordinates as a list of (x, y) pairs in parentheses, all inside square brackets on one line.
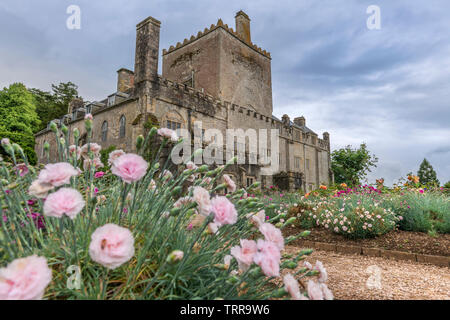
[(25, 279)]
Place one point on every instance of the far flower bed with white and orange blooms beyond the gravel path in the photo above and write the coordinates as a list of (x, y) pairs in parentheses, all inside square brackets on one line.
[(367, 211)]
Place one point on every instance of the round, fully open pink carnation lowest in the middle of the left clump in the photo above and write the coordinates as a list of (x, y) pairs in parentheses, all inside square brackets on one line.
[(111, 245)]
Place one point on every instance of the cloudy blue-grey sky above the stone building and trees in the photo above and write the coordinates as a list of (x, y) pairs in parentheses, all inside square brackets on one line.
[(389, 88)]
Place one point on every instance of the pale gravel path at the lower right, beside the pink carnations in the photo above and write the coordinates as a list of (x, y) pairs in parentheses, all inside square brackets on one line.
[(399, 280)]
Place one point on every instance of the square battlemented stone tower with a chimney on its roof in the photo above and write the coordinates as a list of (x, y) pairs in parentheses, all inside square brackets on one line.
[(225, 64)]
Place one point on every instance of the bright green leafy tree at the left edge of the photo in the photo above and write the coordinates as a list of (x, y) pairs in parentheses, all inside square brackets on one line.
[(18, 118)]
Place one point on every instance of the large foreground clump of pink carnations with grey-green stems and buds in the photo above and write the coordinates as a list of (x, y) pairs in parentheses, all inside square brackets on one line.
[(142, 230)]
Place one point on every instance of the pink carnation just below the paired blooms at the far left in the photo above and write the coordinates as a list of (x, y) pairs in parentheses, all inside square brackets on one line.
[(64, 201)]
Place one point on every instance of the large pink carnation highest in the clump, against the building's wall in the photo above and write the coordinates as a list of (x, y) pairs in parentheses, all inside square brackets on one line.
[(130, 167)]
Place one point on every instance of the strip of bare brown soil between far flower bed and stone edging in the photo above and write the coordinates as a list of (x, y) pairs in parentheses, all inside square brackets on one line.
[(413, 242)]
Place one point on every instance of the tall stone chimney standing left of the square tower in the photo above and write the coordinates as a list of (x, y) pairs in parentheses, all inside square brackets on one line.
[(147, 50)]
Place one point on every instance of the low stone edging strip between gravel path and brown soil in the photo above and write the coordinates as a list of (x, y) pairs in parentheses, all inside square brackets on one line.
[(441, 261)]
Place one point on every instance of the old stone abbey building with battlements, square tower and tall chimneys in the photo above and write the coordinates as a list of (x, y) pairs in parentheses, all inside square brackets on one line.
[(219, 77)]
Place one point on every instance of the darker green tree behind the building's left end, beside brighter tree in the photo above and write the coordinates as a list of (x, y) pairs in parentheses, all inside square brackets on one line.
[(55, 104)]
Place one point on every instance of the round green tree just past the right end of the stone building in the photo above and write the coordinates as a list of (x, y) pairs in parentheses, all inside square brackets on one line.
[(351, 165)]
